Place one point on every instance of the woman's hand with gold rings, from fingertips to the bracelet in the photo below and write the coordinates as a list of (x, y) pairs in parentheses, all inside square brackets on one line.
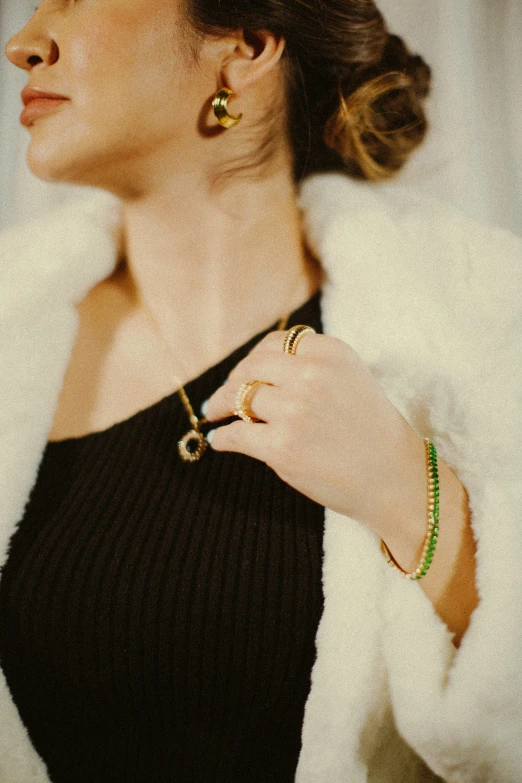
[(328, 430)]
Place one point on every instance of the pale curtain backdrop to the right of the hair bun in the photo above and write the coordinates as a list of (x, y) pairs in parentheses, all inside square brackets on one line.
[(473, 156)]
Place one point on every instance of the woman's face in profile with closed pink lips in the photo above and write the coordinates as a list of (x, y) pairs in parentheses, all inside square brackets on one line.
[(133, 94)]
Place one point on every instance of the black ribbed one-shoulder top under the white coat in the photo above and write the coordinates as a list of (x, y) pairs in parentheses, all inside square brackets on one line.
[(158, 618)]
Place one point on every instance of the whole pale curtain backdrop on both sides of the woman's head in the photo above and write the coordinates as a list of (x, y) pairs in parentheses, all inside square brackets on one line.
[(473, 156)]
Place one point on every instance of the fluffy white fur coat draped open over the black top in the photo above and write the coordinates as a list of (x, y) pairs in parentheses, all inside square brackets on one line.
[(432, 303)]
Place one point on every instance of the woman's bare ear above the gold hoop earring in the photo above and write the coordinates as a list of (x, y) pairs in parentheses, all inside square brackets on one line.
[(254, 55)]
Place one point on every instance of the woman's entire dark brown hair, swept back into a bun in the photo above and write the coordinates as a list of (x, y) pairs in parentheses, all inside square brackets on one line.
[(354, 91)]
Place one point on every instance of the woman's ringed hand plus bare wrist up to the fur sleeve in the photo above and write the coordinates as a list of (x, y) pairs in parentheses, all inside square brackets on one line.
[(331, 433)]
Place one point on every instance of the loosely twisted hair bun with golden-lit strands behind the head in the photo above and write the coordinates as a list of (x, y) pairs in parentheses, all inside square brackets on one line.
[(379, 118)]
